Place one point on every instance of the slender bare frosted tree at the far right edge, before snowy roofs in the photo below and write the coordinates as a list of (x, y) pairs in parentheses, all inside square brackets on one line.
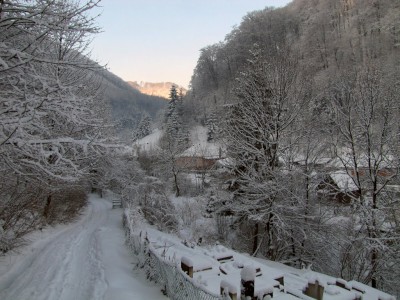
[(365, 113)]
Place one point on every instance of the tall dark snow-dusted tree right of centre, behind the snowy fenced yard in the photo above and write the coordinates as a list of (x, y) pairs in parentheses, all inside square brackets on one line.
[(257, 129)]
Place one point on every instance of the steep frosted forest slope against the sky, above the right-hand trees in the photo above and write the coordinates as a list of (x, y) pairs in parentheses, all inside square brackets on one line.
[(326, 38)]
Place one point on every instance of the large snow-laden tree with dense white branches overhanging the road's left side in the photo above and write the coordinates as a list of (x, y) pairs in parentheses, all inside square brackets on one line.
[(50, 122)]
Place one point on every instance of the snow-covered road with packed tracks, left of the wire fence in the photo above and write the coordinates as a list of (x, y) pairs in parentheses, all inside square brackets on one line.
[(83, 260)]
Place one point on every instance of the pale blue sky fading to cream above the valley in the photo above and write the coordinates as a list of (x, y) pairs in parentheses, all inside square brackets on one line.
[(159, 40)]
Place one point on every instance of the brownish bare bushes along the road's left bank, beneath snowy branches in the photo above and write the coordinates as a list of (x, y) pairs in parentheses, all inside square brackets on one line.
[(25, 207)]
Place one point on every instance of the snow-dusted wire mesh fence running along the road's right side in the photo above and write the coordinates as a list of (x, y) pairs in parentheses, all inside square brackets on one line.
[(167, 273)]
